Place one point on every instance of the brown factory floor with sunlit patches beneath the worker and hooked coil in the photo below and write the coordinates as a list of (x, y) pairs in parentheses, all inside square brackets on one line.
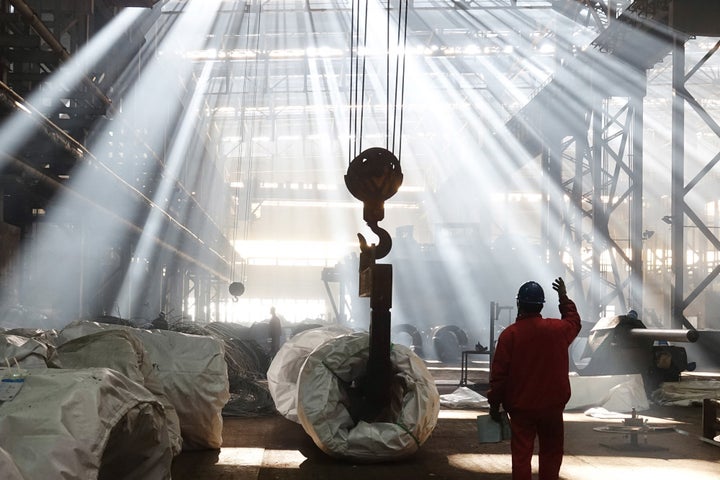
[(272, 447)]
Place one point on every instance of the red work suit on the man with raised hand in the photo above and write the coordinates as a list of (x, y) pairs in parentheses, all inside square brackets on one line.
[(529, 377)]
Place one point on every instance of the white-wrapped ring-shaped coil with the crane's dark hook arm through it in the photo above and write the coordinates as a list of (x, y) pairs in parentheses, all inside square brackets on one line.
[(322, 402)]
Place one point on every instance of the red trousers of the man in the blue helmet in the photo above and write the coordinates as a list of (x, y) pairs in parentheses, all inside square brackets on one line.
[(549, 428)]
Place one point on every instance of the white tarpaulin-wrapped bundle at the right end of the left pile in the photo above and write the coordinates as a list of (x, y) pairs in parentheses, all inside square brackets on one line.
[(192, 372)]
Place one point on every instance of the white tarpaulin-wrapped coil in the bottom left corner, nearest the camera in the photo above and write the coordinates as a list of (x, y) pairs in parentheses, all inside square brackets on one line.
[(73, 424)]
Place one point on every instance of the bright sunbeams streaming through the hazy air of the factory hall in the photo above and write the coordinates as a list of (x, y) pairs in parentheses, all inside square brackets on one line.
[(227, 140)]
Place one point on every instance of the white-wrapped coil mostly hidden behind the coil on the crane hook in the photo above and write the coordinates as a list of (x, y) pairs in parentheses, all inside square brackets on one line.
[(284, 370)]
